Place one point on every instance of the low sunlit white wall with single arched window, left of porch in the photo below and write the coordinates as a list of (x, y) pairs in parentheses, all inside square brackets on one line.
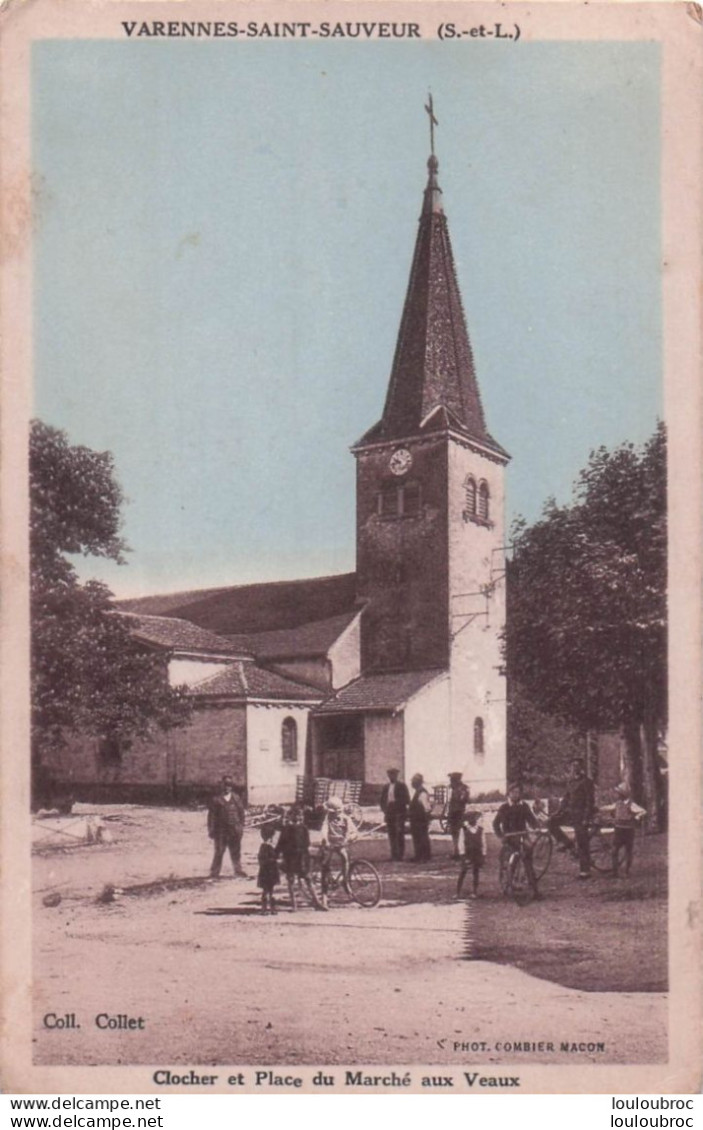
[(271, 780)]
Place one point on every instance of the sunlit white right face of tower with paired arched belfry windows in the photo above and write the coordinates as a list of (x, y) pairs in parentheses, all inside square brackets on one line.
[(476, 560)]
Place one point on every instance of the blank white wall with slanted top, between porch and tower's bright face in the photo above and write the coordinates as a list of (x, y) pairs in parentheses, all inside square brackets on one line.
[(428, 740)]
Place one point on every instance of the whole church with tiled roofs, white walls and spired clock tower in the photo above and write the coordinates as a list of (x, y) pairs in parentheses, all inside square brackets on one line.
[(396, 665)]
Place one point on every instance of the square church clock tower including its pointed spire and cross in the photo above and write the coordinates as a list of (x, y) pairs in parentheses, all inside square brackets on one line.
[(431, 567)]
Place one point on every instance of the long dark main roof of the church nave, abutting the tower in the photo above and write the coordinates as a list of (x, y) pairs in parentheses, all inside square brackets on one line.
[(255, 609)]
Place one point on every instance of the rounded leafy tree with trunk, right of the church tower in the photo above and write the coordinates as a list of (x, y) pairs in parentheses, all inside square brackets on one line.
[(587, 607)]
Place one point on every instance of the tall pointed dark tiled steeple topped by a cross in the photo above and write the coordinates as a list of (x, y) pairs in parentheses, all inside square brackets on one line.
[(433, 380)]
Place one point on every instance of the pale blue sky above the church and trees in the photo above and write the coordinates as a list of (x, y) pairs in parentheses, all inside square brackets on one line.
[(223, 240)]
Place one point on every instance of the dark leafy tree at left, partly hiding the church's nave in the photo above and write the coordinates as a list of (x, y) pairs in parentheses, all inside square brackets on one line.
[(88, 673)]
